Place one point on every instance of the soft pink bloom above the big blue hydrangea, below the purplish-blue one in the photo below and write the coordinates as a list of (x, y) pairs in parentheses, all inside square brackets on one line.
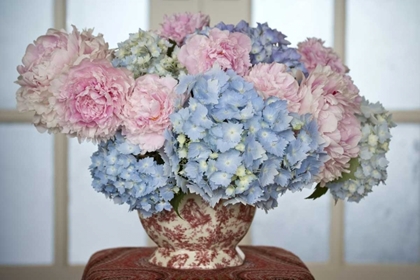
[(274, 80)]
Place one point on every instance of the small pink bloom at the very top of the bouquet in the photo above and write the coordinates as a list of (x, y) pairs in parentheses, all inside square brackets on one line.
[(178, 26)]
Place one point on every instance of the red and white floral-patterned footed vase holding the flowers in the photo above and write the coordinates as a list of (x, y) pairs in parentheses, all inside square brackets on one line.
[(205, 237)]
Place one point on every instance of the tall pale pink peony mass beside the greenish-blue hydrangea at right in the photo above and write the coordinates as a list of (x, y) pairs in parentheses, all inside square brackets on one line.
[(333, 101)]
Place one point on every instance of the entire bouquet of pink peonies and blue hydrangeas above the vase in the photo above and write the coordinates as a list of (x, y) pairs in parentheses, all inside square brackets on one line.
[(231, 113)]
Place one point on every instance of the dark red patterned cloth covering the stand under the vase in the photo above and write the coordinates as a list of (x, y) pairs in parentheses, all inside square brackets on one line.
[(261, 262)]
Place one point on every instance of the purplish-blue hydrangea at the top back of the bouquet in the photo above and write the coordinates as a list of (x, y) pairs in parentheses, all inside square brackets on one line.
[(268, 45)]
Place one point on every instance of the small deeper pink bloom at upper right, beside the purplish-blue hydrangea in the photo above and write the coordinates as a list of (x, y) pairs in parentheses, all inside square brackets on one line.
[(313, 53)]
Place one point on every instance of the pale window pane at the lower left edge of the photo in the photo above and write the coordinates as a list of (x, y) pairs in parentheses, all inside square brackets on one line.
[(26, 200)]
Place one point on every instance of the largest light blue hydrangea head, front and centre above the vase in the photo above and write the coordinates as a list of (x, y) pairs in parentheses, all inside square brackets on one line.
[(228, 143)]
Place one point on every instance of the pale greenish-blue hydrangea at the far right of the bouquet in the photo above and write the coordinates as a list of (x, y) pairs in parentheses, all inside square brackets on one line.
[(370, 168)]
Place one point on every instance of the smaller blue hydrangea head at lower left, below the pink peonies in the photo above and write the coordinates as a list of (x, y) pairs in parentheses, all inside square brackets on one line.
[(119, 172)]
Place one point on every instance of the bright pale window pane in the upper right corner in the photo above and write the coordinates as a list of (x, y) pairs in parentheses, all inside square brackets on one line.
[(382, 50)]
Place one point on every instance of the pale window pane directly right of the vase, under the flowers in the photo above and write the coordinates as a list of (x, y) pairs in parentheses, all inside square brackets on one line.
[(297, 224)]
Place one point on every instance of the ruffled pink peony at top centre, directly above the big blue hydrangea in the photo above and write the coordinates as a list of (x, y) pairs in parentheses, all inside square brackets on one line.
[(228, 50)]
